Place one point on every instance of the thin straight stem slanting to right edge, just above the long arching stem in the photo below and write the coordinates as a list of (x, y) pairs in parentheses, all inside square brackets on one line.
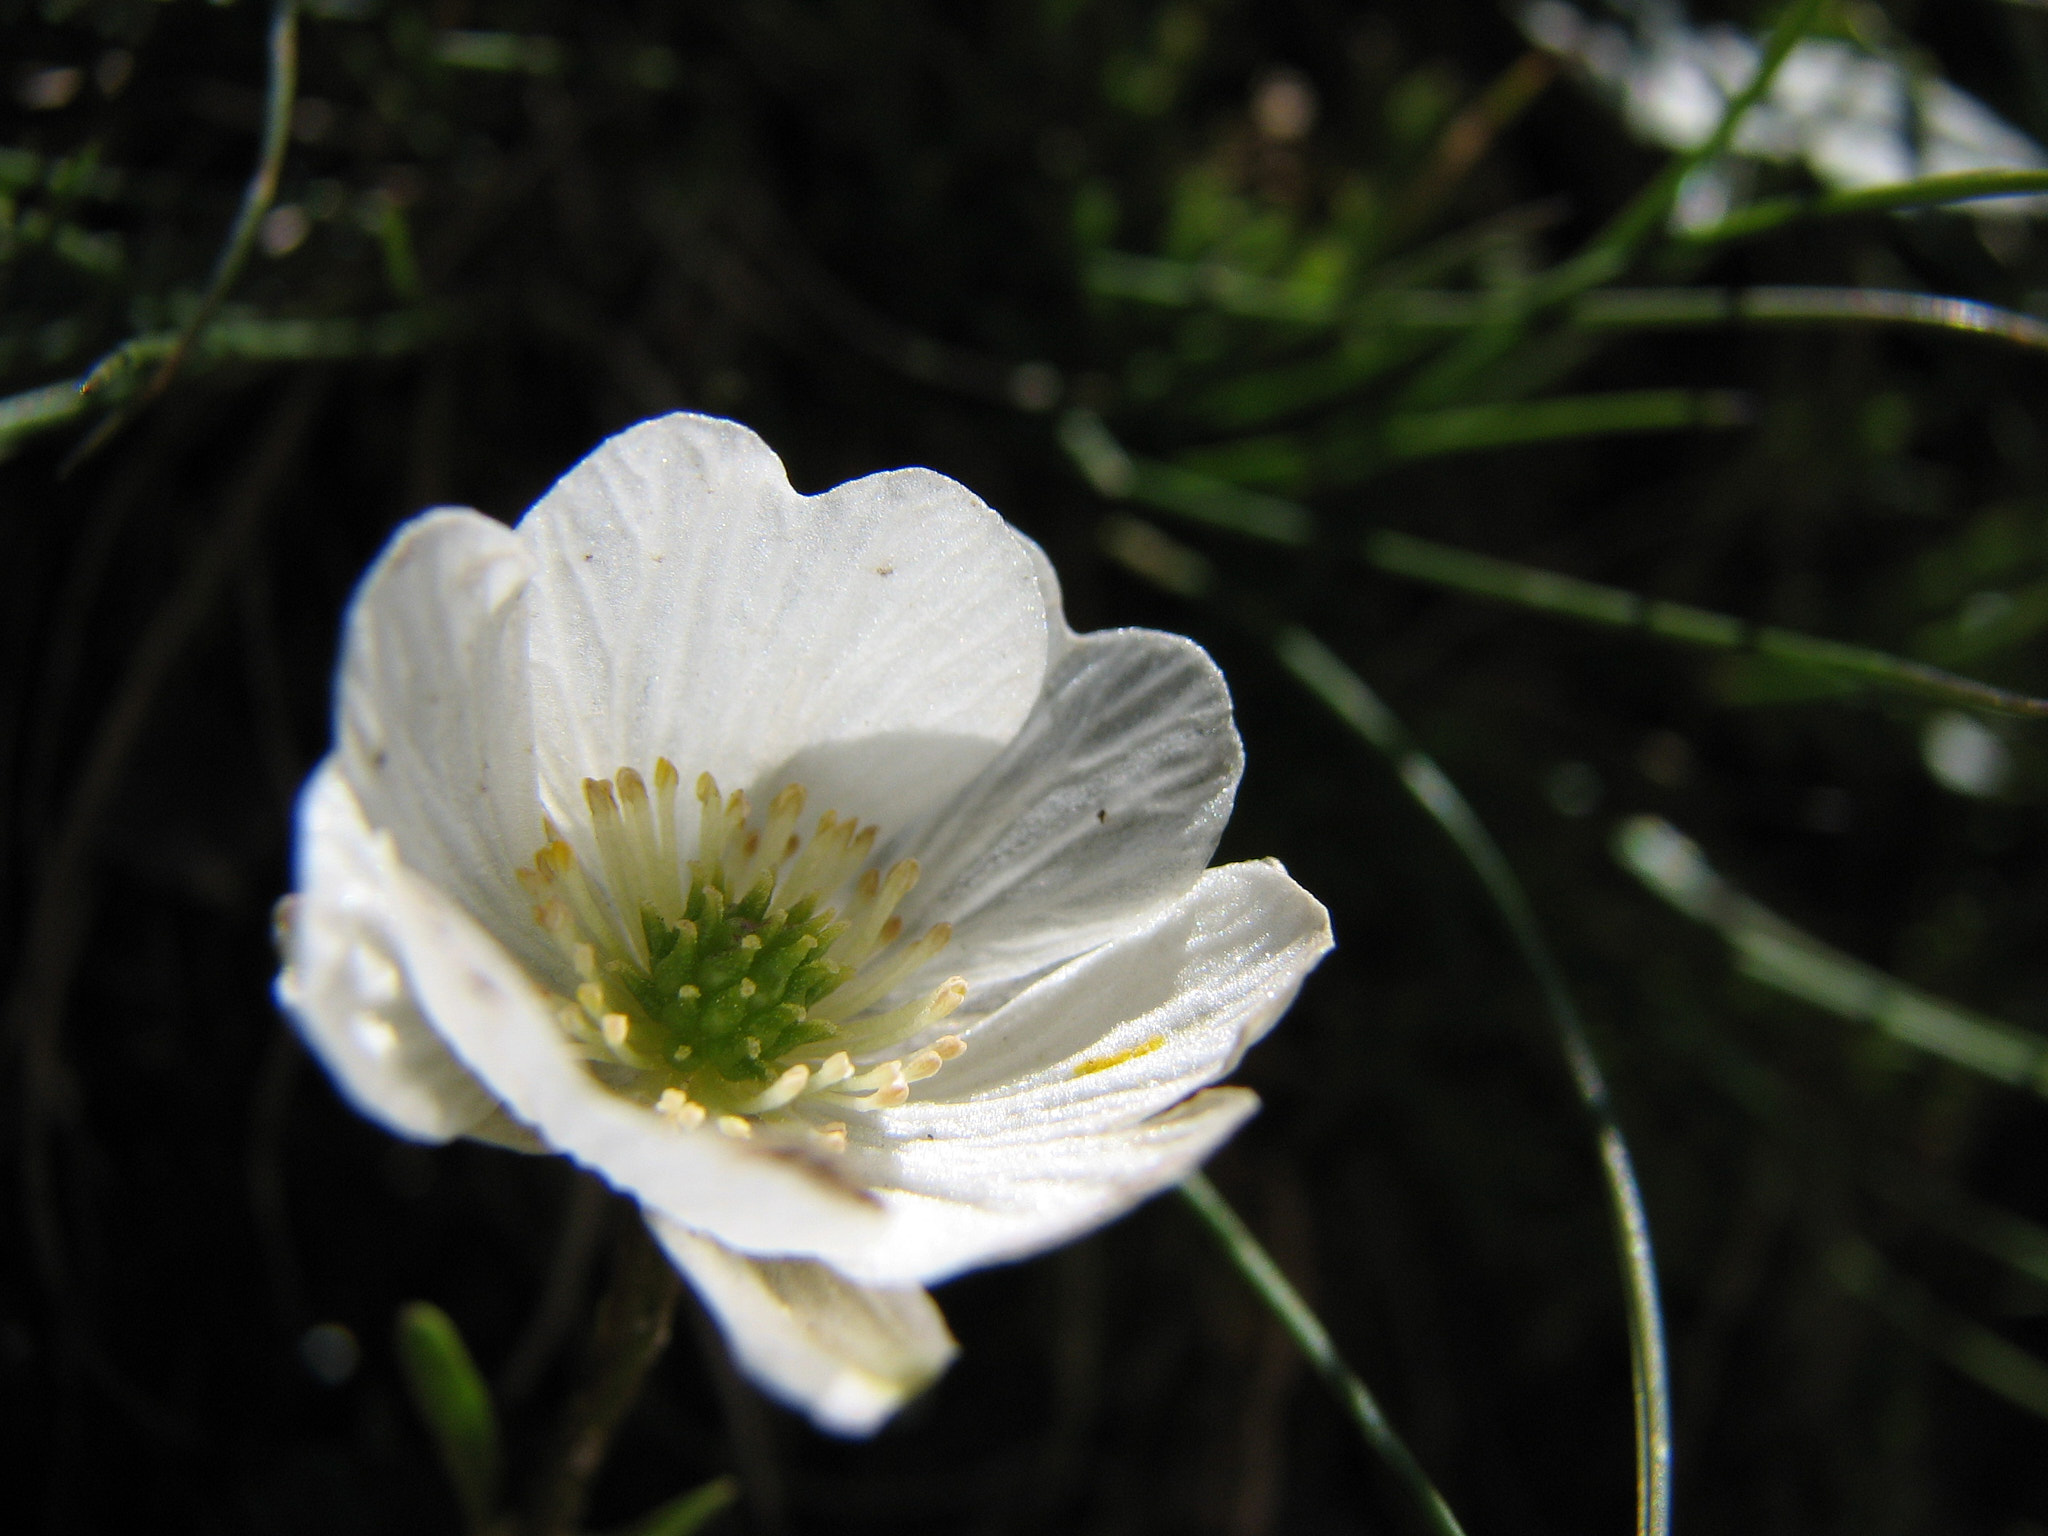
[(1484, 577)]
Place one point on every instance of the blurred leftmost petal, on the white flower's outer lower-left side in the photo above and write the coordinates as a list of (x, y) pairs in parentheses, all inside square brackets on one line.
[(347, 992)]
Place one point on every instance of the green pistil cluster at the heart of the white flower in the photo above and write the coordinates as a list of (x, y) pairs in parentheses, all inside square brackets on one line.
[(730, 988)]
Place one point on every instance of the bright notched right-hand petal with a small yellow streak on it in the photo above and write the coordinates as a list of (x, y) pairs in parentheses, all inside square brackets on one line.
[(1072, 1101)]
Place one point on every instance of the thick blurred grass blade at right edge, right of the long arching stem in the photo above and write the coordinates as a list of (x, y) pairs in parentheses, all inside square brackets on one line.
[(1773, 951)]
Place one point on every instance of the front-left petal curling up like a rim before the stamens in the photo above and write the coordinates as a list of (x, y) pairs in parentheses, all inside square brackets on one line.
[(501, 1027)]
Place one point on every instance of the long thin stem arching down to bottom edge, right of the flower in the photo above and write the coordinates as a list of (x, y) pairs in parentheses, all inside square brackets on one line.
[(1349, 697)]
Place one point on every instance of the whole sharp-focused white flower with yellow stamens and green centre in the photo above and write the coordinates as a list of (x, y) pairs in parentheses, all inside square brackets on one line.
[(790, 863)]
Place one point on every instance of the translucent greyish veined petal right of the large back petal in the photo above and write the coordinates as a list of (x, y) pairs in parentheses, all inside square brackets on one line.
[(1107, 804)]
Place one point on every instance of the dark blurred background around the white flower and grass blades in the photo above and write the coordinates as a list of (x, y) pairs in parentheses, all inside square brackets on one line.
[(847, 224)]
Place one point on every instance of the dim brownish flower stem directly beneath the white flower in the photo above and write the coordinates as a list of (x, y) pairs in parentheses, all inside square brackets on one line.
[(632, 1332)]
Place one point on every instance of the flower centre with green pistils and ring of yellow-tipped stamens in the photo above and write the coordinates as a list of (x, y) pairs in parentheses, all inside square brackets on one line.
[(728, 988)]
